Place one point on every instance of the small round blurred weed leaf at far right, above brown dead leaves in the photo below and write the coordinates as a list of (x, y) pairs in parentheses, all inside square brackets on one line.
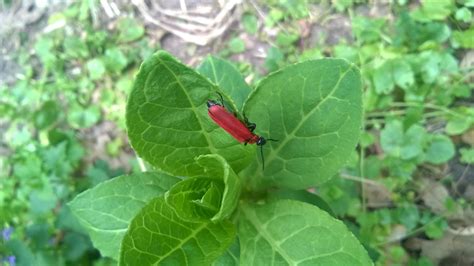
[(440, 150)]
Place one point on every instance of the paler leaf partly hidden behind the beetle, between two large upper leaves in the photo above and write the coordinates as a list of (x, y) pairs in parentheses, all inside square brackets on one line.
[(227, 77)]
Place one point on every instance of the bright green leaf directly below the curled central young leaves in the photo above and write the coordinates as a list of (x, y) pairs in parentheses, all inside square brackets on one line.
[(157, 236)]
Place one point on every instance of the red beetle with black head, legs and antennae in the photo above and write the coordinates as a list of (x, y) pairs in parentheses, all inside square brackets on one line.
[(241, 131)]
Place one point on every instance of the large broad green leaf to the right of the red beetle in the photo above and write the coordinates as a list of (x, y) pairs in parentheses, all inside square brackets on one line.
[(314, 110)]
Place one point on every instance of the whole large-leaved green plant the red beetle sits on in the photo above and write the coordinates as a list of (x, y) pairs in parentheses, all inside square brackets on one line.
[(215, 204)]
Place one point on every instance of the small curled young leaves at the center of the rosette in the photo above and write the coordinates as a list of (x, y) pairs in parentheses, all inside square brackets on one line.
[(213, 195)]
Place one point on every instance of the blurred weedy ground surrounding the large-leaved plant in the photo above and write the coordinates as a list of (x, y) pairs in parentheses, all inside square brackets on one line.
[(66, 69)]
